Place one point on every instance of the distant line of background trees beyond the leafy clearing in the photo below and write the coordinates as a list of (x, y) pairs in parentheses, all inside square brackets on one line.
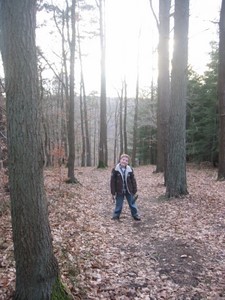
[(202, 122)]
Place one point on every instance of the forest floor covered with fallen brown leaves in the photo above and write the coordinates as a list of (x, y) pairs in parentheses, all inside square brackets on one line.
[(177, 250)]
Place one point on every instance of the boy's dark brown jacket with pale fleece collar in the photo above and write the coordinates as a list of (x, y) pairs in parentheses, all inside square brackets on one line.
[(116, 182)]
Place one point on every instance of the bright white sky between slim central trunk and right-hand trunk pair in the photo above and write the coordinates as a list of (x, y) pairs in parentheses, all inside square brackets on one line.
[(131, 42)]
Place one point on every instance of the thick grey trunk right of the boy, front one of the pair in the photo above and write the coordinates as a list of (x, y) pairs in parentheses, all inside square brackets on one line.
[(176, 160)]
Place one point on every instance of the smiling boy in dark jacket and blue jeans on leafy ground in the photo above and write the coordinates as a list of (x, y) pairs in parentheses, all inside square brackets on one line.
[(123, 184)]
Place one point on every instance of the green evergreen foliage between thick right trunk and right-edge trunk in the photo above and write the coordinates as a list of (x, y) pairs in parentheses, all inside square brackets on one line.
[(202, 113)]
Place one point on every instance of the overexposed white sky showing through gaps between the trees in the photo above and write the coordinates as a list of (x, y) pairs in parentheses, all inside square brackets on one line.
[(124, 20)]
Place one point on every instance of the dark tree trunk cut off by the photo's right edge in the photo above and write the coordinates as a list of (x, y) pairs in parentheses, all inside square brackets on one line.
[(221, 93)]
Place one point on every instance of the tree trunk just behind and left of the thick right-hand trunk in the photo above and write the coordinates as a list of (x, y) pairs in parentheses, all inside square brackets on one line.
[(163, 83)]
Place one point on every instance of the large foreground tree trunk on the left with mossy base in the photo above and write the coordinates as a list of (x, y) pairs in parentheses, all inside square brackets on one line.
[(37, 274)]
